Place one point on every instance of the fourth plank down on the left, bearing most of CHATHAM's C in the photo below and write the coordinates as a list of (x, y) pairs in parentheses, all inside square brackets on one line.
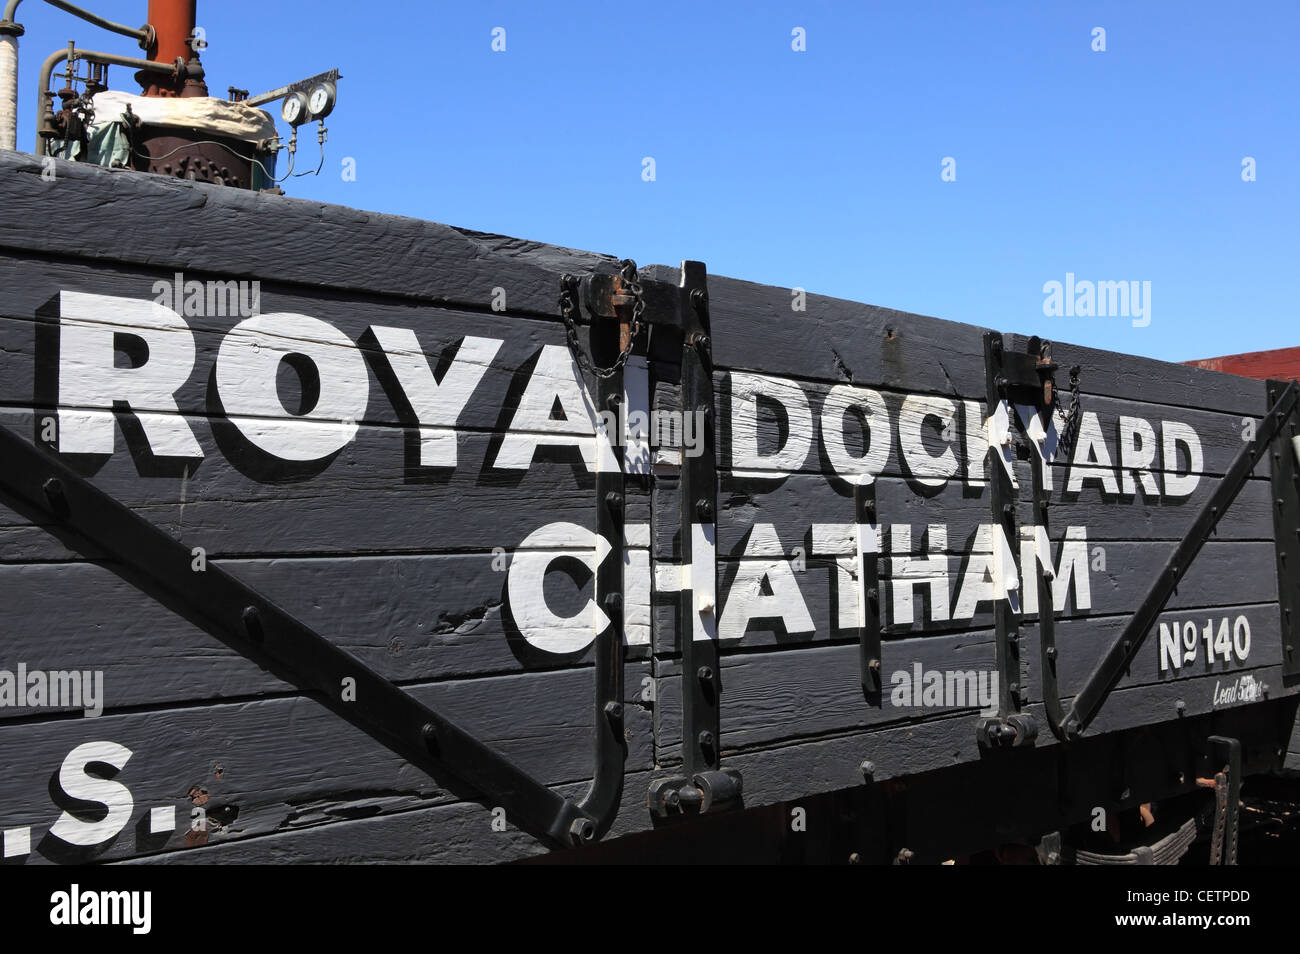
[(408, 618)]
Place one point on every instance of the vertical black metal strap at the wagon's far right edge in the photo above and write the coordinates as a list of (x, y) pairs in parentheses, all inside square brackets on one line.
[(1285, 492)]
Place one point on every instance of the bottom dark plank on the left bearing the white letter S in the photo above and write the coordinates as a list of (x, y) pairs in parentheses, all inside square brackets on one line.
[(278, 762)]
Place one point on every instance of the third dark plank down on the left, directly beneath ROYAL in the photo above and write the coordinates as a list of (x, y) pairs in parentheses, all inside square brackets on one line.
[(236, 502)]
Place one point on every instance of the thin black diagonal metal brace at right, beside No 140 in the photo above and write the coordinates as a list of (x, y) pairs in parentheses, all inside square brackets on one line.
[(1121, 654)]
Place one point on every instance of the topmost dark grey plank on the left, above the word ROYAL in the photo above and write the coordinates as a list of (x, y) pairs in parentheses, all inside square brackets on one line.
[(227, 233)]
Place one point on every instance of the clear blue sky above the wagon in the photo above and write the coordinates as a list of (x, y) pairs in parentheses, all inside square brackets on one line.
[(821, 168)]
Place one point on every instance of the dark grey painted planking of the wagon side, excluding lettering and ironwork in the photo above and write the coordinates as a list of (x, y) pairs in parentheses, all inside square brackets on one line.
[(395, 562)]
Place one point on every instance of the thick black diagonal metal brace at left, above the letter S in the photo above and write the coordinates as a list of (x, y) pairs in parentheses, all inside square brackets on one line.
[(85, 518)]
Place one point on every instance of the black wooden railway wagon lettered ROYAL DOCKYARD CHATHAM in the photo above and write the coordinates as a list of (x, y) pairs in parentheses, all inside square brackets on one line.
[(341, 537)]
